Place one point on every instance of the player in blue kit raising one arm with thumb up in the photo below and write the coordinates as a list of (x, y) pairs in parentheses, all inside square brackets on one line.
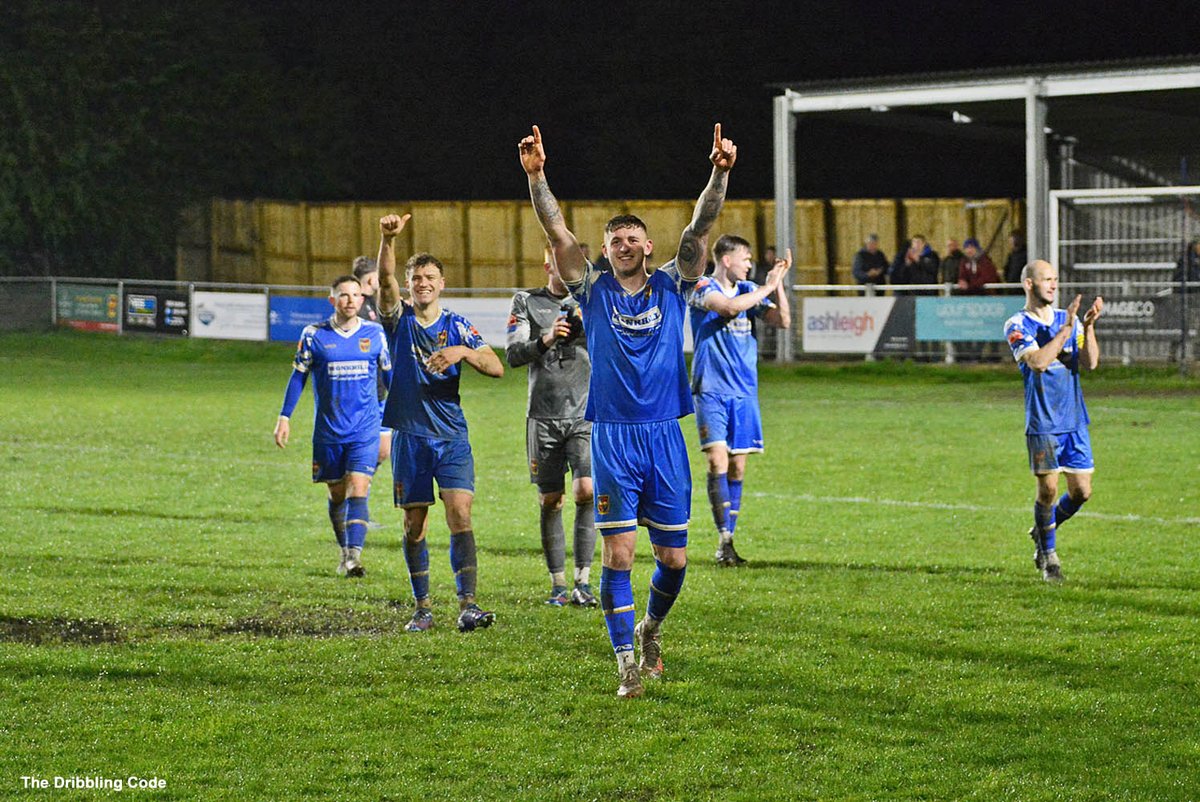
[(431, 344)]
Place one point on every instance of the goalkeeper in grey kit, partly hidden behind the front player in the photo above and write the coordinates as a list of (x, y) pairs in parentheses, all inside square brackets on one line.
[(545, 332)]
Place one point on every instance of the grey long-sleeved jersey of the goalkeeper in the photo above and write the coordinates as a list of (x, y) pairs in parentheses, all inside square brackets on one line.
[(559, 376)]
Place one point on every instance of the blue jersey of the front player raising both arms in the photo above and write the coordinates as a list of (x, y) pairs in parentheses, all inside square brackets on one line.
[(639, 374)]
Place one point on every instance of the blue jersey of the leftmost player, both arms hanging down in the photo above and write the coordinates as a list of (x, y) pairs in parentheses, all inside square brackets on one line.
[(345, 370)]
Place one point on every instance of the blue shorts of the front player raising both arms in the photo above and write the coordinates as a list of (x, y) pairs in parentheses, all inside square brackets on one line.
[(643, 477)]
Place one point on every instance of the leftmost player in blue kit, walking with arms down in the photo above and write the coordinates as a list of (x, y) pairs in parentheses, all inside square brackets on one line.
[(345, 356)]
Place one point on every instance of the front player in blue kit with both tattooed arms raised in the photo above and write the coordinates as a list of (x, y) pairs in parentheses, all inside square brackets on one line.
[(633, 319)]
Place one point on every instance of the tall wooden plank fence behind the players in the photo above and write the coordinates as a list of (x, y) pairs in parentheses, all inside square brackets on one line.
[(500, 243)]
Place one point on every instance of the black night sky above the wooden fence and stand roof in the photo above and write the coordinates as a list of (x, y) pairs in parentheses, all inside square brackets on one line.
[(431, 98)]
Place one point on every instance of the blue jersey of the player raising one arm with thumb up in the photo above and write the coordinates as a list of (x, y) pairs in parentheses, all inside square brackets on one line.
[(421, 402)]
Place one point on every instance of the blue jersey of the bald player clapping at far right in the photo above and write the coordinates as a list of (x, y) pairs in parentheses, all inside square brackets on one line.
[(1054, 400)]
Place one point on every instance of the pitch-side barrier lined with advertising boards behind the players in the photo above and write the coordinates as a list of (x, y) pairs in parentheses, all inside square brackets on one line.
[(1143, 320)]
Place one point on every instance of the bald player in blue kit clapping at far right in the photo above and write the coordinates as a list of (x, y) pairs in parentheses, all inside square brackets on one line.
[(1052, 346)]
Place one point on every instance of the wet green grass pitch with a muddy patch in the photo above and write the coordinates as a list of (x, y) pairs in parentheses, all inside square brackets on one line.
[(169, 606)]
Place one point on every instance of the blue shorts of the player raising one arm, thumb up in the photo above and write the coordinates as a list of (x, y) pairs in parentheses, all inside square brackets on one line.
[(417, 462)]
